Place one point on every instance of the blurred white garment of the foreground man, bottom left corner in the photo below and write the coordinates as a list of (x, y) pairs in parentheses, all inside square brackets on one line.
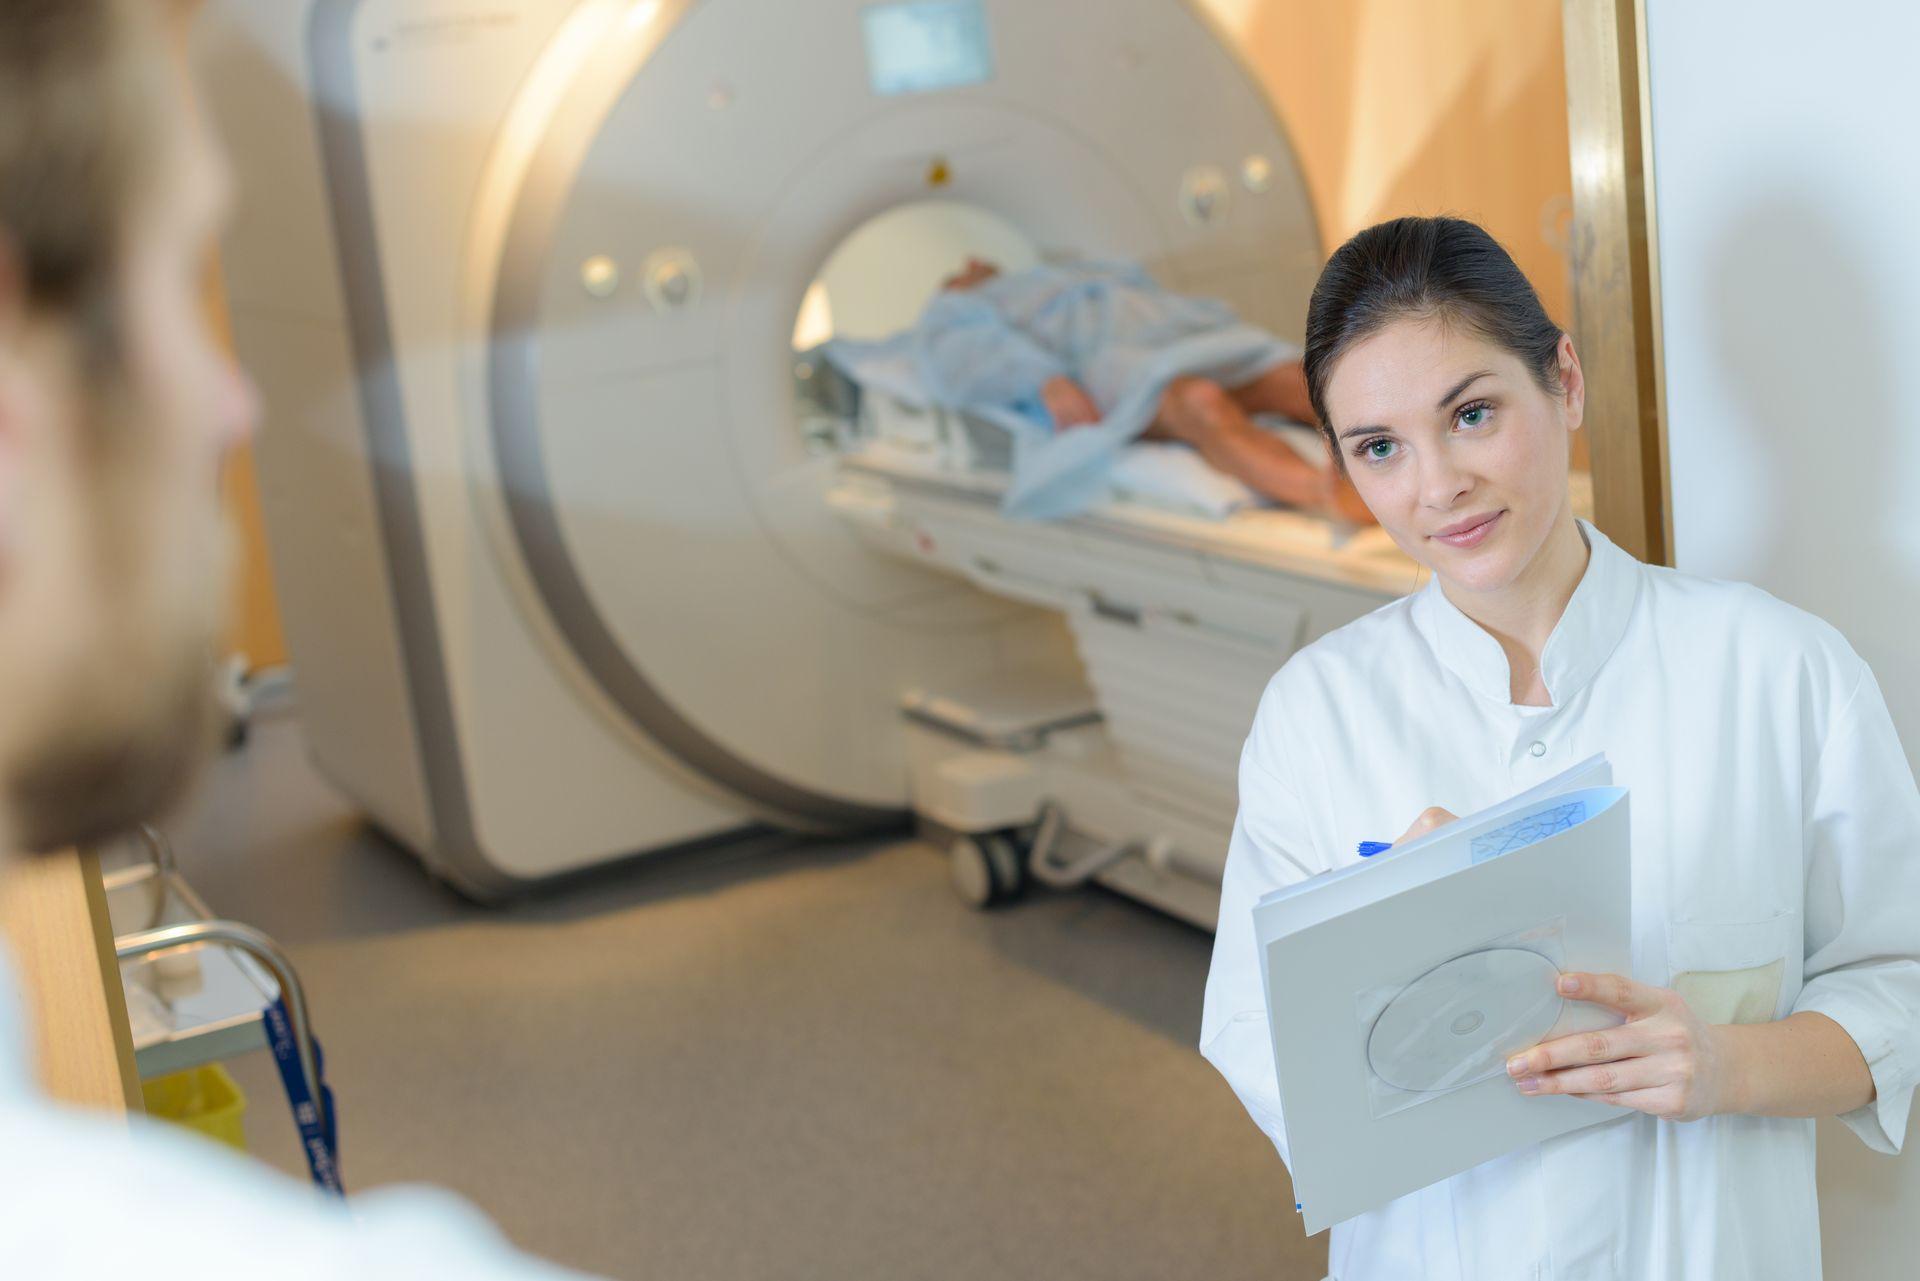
[(87, 1197)]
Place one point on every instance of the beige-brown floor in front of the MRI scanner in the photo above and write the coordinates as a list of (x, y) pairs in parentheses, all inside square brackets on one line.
[(796, 1061)]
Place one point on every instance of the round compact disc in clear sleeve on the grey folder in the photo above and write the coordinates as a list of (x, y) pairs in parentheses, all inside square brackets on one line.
[(1458, 1023)]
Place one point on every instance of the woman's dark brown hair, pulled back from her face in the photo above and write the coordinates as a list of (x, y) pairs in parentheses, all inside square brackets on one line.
[(1441, 268)]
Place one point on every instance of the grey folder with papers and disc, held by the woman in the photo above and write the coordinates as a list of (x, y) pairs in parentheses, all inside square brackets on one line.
[(1399, 986)]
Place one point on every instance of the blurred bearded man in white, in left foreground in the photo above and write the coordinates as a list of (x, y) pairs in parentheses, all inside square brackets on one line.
[(116, 410)]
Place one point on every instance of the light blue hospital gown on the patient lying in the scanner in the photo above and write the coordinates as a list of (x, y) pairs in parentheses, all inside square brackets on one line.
[(1105, 326)]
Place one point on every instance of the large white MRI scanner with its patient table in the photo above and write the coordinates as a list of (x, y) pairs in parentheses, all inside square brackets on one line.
[(565, 573)]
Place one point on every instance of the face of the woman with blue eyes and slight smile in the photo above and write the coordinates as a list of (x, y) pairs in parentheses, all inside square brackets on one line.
[(1454, 447)]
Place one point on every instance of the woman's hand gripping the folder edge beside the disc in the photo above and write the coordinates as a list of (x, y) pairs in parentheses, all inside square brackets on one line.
[(1664, 1061)]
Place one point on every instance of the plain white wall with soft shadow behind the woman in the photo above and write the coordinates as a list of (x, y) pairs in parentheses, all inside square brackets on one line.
[(1788, 205)]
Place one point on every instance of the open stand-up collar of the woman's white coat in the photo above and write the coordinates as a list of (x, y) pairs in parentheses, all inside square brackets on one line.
[(1583, 640)]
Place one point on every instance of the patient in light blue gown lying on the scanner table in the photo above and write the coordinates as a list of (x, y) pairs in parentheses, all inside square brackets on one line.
[(1103, 347)]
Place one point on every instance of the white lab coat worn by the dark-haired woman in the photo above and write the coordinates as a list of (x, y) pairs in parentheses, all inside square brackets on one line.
[(1777, 869)]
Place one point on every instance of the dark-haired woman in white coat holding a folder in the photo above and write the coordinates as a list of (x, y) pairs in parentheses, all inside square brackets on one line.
[(1775, 821)]
